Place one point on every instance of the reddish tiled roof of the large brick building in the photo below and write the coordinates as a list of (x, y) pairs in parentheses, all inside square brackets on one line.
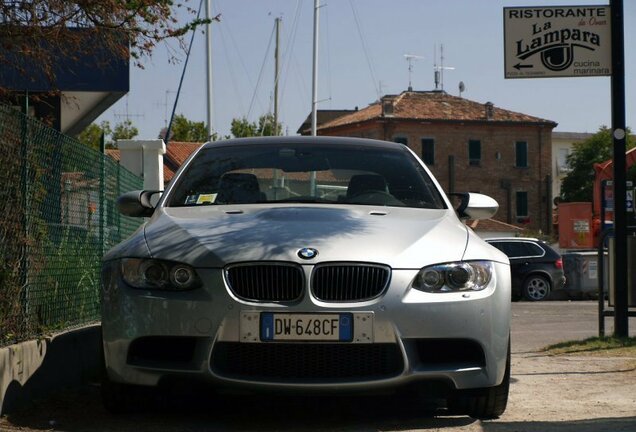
[(433, 106)]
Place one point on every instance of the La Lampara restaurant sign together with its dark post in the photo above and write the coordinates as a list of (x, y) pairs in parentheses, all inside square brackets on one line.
[(580, 41)]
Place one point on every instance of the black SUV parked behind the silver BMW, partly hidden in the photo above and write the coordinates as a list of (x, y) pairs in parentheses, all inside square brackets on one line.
[(536, 268)]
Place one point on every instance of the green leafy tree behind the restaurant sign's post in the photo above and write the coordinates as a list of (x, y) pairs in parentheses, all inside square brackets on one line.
[(578, 185)]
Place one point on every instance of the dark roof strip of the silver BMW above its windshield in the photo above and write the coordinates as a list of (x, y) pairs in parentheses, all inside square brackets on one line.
[(305, 140)]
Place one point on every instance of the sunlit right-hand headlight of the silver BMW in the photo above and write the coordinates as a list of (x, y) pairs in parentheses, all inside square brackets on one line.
[(453, 277)]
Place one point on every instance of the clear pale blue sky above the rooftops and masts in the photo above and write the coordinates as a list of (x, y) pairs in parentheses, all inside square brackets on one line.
[(358, 59)]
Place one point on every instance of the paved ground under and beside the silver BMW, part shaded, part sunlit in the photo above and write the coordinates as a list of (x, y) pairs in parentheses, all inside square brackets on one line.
[(547, 394)]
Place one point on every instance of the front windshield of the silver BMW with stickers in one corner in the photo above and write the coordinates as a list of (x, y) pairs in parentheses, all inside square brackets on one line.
[(301, 173)]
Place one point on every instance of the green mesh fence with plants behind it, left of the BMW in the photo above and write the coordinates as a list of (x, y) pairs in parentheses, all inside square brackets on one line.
[(57, 220)]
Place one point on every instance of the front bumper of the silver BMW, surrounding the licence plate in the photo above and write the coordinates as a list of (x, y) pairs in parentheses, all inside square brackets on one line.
[(457, 338)]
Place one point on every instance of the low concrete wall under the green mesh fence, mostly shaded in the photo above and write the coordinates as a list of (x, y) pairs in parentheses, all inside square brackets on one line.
[(38, 368)]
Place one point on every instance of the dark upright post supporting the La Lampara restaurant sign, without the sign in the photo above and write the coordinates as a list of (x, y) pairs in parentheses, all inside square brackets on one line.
[(621, 320)]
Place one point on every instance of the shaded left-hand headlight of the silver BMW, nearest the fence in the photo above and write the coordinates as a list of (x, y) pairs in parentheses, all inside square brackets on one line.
[(144, 273)]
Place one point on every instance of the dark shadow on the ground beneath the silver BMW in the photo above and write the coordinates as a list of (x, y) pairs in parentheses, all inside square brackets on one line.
[(81, 410)]
